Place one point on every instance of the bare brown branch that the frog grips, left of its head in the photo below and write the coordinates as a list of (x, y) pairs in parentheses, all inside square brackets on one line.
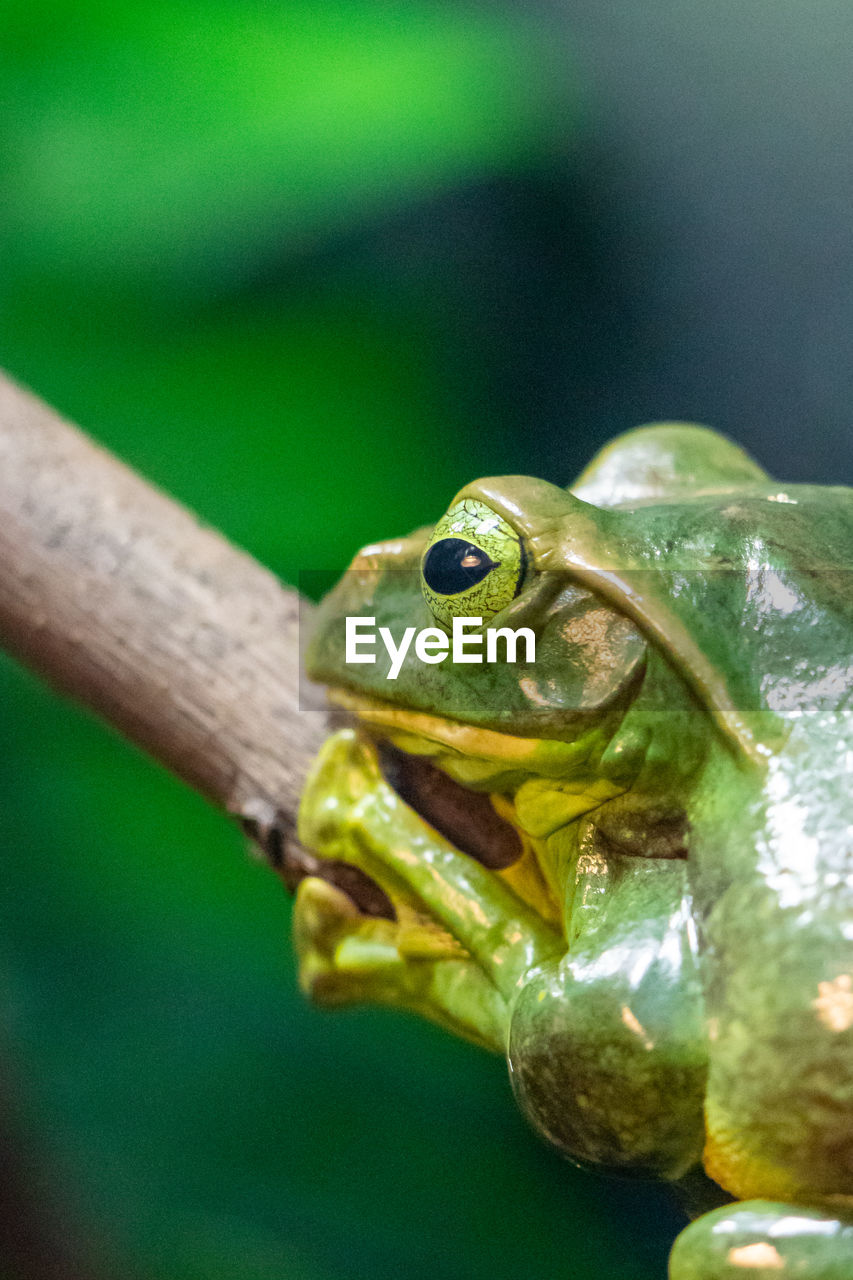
[(121, 598)]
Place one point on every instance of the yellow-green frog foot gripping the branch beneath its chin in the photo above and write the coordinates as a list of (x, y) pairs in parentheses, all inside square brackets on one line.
[(425, 926)]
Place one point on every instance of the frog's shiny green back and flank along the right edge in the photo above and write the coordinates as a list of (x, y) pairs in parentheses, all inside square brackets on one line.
[(759, 574)]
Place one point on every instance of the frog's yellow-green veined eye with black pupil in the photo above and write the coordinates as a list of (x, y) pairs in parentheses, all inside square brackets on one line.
[(473, 566)]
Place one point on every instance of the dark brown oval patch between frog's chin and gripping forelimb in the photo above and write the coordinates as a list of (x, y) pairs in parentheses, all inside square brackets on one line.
[(467, 819)]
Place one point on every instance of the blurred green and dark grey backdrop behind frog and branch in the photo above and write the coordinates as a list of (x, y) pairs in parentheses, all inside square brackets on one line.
[(312, 267)]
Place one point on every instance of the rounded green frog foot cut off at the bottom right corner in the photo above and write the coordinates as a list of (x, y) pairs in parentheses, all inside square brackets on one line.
[(765, 1241)]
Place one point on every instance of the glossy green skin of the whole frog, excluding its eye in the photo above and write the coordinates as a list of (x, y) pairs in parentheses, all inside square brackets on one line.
[(672, 975)]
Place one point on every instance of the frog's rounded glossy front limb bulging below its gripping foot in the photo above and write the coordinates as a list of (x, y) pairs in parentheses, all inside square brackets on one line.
[(608, 1046)]
